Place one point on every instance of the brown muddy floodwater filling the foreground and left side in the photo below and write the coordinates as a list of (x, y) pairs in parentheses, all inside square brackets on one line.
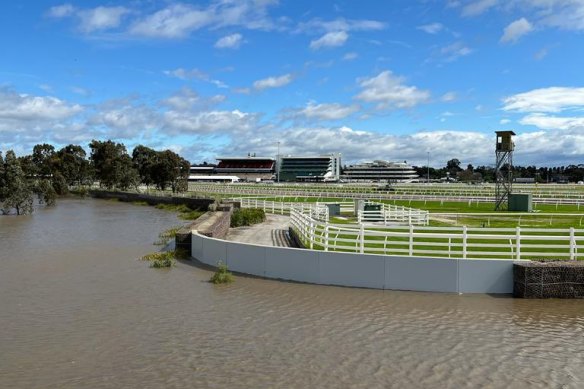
[(78, 310)]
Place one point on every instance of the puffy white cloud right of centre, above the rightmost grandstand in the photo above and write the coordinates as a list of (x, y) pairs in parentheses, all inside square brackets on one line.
[(389, 91)]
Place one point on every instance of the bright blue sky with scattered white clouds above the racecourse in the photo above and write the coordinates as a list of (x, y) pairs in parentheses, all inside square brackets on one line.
[(400, 80)]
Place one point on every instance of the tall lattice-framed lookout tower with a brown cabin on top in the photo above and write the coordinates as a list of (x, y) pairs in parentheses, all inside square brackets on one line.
[(503, 168)]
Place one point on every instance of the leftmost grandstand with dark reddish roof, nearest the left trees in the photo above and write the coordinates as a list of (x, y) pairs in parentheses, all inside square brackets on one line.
[(249, 168)]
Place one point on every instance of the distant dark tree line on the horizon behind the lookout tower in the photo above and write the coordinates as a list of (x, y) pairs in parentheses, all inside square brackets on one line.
[(454, 170)]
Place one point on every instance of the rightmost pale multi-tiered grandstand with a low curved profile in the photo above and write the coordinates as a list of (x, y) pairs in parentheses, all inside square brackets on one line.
[(379, 171)]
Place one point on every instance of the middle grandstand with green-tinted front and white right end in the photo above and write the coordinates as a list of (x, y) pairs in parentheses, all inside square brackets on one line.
[(321, 168)]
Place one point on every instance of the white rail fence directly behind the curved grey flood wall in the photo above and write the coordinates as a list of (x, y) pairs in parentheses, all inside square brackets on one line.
[(451, 242)]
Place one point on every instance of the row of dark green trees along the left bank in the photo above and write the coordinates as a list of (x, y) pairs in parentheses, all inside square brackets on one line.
[(48, 173)]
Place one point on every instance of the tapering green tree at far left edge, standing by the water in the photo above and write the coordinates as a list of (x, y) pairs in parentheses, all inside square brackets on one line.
[(17, 193)]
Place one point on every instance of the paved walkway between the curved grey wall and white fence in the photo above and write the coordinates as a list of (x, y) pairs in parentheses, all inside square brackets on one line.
[(273, 232)]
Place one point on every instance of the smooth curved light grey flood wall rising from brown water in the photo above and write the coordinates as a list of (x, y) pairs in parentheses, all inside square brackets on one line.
[(358, 270)]
